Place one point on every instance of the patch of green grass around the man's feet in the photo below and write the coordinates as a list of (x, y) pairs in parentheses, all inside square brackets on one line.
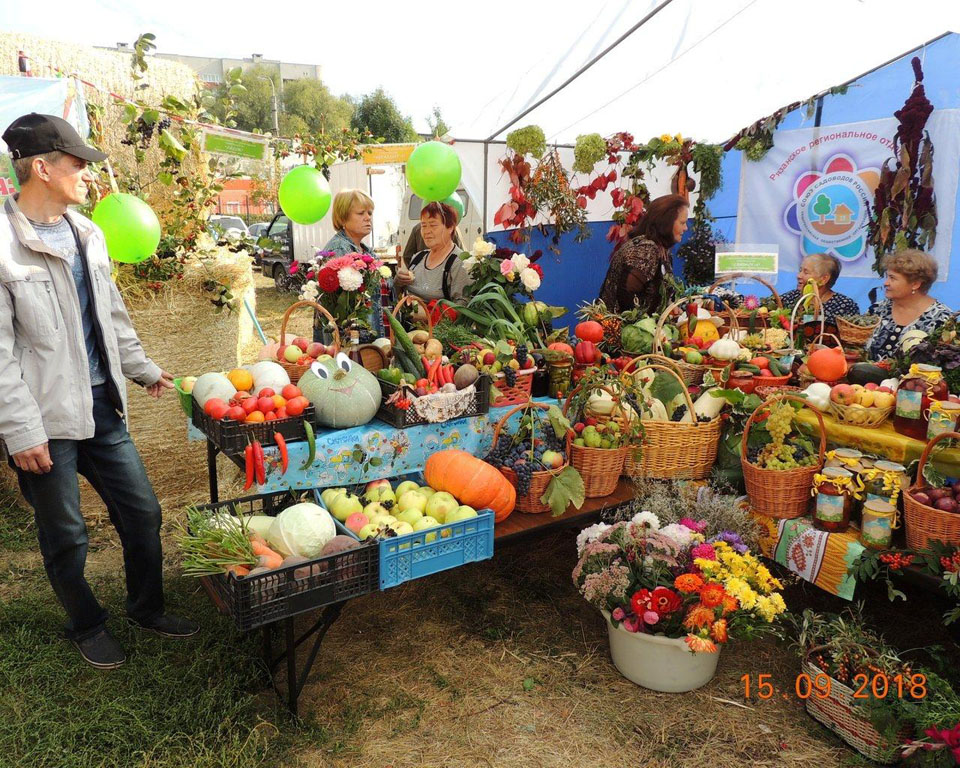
[(174, 703)]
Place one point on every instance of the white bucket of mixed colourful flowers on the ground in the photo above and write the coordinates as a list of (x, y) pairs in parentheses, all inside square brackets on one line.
[(673, 596)]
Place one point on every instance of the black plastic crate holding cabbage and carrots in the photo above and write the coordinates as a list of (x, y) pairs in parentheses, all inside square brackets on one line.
[(279, 594)]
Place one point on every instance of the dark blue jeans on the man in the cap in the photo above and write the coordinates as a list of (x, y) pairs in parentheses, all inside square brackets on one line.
[(109, 460)]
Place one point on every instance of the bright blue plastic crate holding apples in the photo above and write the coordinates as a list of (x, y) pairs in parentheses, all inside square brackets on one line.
[(411, 556)]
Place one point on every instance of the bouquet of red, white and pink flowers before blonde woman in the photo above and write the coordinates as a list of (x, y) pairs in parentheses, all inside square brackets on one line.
[(343, 285)]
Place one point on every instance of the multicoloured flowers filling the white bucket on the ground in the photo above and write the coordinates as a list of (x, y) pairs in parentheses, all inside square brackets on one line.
[(676, 581)]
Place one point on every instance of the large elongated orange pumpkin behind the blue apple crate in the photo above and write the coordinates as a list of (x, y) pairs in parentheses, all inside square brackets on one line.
[(473, 482)]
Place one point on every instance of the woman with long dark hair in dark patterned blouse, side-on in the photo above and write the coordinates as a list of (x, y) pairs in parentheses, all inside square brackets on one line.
[(638, 265)]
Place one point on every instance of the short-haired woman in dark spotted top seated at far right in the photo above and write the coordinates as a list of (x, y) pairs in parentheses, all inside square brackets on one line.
[(909, 275)]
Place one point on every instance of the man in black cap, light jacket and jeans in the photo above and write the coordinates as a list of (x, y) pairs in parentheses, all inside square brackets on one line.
[(66, 346)]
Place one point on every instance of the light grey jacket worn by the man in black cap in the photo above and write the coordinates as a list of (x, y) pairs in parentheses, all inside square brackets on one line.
[(45, 391)]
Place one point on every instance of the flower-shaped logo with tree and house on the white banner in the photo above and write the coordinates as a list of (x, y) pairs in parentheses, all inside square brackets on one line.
[(830, 208)]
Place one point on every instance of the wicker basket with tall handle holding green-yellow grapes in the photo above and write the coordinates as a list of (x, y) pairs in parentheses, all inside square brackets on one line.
[(783, 494)]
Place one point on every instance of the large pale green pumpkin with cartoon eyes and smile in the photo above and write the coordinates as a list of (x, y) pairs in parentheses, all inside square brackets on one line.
[(344, 394)]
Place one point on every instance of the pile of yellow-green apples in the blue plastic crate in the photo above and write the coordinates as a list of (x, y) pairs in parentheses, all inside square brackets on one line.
[(384, 511)]
